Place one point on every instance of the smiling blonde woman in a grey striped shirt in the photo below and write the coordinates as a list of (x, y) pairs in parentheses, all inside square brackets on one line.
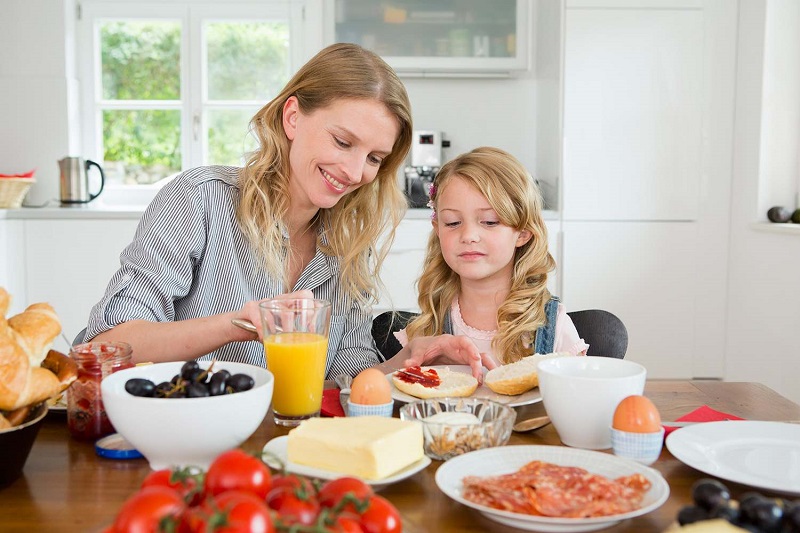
[(302, 218)]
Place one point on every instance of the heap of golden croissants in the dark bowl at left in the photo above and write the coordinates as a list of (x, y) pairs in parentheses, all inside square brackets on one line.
[(29, 371)]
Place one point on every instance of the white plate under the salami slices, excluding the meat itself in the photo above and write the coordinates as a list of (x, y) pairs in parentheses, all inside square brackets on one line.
[(508, 459)]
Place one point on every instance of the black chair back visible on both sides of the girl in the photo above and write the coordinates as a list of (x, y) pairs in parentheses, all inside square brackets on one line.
[(604, 332)]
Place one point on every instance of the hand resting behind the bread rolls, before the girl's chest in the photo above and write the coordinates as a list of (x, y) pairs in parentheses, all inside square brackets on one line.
[(448, 349)]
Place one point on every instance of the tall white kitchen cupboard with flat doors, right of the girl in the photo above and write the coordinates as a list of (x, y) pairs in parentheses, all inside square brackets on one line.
[(648, 121)]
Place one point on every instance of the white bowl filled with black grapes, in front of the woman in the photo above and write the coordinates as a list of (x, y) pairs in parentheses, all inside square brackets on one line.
[(186, 413)]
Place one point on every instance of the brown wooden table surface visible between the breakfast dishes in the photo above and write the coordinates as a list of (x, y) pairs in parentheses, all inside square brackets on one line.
[(66, 487)]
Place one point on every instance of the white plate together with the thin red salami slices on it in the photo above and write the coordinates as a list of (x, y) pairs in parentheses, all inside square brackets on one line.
[(491, 481)]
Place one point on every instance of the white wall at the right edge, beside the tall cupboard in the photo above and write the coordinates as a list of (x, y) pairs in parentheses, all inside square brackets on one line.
[(764, 284)]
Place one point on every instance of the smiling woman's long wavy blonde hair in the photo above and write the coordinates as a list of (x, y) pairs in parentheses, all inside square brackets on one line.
[(354, 225)]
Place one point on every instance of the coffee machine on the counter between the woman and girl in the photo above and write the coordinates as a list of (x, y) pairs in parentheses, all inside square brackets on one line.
[(426, 159)]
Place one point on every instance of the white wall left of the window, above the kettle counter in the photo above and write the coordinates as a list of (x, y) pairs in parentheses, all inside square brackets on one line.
[(37, 85)]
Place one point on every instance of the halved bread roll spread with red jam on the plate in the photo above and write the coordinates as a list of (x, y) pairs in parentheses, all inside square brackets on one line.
[(426, 382)]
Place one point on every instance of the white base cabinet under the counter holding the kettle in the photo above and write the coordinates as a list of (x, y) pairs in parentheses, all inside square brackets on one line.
[(68, 263)]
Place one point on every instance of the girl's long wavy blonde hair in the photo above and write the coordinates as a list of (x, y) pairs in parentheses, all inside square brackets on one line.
[(515, 197)]
